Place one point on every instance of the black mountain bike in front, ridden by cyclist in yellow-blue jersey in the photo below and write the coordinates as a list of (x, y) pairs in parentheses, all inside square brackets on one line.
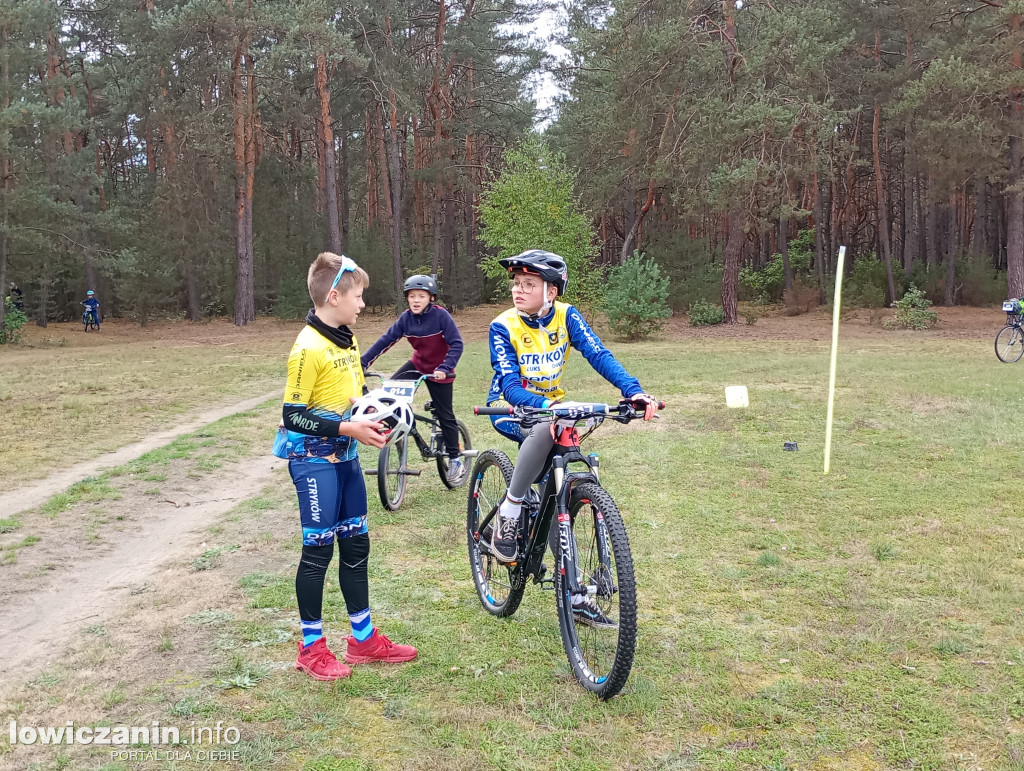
[(589, 543)]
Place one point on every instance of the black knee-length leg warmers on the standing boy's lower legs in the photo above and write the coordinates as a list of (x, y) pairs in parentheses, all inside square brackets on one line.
[(353, 577)]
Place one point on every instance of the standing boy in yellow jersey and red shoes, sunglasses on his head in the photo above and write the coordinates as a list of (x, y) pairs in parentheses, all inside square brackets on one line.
[(320, 443)]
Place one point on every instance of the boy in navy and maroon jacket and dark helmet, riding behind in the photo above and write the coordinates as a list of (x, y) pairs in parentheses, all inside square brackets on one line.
[(437, 349)]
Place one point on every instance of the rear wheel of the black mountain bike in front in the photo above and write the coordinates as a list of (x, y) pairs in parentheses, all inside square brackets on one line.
[(492, 475)]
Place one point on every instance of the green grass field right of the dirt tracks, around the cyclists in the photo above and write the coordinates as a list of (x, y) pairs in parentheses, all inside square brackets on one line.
[(867, 620)]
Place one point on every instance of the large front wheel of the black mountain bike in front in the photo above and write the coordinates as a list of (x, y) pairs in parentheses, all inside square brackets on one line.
[(600, 634)]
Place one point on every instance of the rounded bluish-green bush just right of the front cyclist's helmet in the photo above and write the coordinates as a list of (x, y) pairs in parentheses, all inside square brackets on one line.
[(635, 298)]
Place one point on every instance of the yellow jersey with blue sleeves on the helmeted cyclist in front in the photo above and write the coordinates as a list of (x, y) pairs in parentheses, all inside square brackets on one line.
[(530, 357)]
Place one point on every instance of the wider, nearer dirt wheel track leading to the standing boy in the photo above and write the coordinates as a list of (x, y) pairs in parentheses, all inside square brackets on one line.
[(92, 589)]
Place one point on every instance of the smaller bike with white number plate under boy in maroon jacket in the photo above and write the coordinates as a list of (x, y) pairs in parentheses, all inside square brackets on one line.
[(393, 470)]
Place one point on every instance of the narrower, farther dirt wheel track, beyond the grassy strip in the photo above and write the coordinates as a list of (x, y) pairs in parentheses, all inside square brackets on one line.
[(24, 499)]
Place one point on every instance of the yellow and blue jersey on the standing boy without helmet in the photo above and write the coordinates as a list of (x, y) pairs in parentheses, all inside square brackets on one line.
[(322, 377)]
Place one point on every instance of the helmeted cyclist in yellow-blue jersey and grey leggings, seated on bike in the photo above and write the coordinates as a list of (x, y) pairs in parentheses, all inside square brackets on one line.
[(529, 351)]
